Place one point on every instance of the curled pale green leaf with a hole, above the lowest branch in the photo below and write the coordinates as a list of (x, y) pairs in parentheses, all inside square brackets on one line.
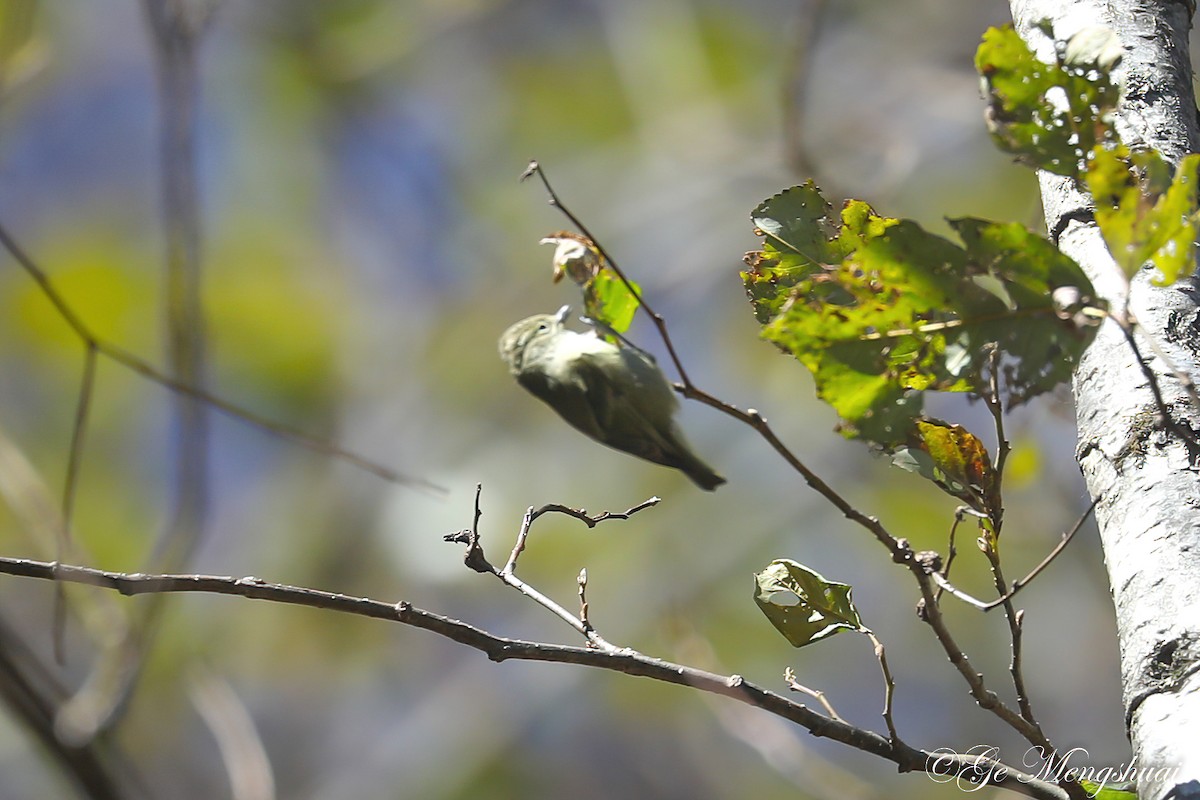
[(802, 605)]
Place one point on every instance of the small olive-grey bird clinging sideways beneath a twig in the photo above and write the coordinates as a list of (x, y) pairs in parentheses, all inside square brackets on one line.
[(616, 395)]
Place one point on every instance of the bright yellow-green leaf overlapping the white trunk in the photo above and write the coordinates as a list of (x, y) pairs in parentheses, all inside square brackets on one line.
[(1145, 213)]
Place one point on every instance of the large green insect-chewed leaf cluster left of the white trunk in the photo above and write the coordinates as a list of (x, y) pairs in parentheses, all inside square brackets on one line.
[(881, 310)]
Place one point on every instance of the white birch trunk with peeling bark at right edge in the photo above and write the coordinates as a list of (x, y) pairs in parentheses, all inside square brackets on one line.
[(1147, 478)]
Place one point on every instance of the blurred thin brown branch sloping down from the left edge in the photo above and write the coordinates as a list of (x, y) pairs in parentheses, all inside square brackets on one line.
[(232, 411)]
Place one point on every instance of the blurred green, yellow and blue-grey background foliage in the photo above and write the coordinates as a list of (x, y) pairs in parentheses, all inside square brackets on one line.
[(365, 243)]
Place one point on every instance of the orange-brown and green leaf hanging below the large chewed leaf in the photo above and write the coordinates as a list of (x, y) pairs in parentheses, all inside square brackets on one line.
[(953, 459)]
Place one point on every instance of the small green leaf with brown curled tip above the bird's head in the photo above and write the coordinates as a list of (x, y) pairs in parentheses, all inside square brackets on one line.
[(607, 299)]
